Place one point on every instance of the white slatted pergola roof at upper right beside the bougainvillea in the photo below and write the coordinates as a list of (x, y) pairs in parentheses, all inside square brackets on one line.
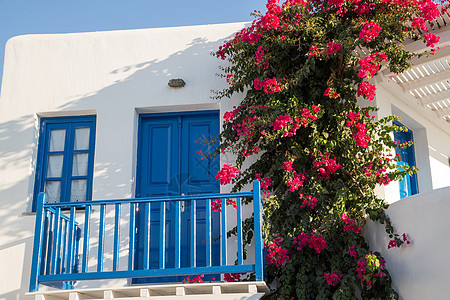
[(426, 85)]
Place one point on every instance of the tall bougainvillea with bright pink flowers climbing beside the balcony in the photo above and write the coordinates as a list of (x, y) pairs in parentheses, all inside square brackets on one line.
[(303, 69)]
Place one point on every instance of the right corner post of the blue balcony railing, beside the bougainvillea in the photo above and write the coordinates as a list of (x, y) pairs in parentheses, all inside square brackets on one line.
[(259, 267)]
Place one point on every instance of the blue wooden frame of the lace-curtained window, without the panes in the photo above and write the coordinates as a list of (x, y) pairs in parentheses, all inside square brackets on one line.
[(69, 124)]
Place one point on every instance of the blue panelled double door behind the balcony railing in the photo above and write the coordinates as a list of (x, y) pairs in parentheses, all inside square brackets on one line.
[(169, 164)]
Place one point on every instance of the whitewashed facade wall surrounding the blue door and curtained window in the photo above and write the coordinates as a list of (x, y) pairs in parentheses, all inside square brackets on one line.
[(114, 75)]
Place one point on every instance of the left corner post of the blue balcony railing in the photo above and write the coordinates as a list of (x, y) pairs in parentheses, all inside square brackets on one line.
[(37, 245)]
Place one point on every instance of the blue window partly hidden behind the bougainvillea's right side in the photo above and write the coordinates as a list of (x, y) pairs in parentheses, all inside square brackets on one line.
[(408, 186)]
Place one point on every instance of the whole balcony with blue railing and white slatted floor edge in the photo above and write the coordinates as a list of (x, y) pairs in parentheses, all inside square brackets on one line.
[(70, 239)]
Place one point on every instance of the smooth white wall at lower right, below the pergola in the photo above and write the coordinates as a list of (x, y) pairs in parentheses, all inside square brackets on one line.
[(420, 270)]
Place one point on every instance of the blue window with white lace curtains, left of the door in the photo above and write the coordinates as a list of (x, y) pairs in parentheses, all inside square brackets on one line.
[(65, 159)]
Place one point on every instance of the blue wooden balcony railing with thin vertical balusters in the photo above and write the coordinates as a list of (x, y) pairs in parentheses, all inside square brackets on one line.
[(62, 255)]
